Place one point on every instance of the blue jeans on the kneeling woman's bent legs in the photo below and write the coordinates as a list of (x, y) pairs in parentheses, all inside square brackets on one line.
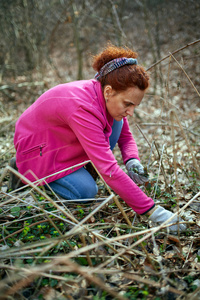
[(80, 184)]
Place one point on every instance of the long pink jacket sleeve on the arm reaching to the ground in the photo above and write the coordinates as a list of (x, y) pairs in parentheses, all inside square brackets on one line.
[(95, 142)]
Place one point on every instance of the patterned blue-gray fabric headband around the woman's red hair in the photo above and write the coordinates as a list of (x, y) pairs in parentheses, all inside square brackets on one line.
[(115, 64)]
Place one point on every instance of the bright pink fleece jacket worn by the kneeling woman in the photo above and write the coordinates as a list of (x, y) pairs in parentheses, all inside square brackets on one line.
[(68, 125)]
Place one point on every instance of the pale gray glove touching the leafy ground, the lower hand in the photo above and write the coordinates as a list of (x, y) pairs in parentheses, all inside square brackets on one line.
[(161, 214)]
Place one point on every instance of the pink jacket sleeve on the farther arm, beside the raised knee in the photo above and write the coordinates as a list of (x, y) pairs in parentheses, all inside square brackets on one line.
[(127, 144)]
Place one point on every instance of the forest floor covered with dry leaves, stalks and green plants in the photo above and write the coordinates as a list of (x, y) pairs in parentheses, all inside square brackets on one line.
[(51, 248)]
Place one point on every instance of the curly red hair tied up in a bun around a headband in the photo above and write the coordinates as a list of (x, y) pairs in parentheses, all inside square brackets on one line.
[(123, 77)]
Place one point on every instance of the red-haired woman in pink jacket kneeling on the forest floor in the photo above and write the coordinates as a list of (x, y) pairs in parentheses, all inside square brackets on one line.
[(83, 120)]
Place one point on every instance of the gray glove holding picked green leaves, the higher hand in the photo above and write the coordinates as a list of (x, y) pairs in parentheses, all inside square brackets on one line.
[(136, 171)]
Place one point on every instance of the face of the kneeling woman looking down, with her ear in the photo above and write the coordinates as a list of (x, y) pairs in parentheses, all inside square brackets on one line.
[(122, 104)]
